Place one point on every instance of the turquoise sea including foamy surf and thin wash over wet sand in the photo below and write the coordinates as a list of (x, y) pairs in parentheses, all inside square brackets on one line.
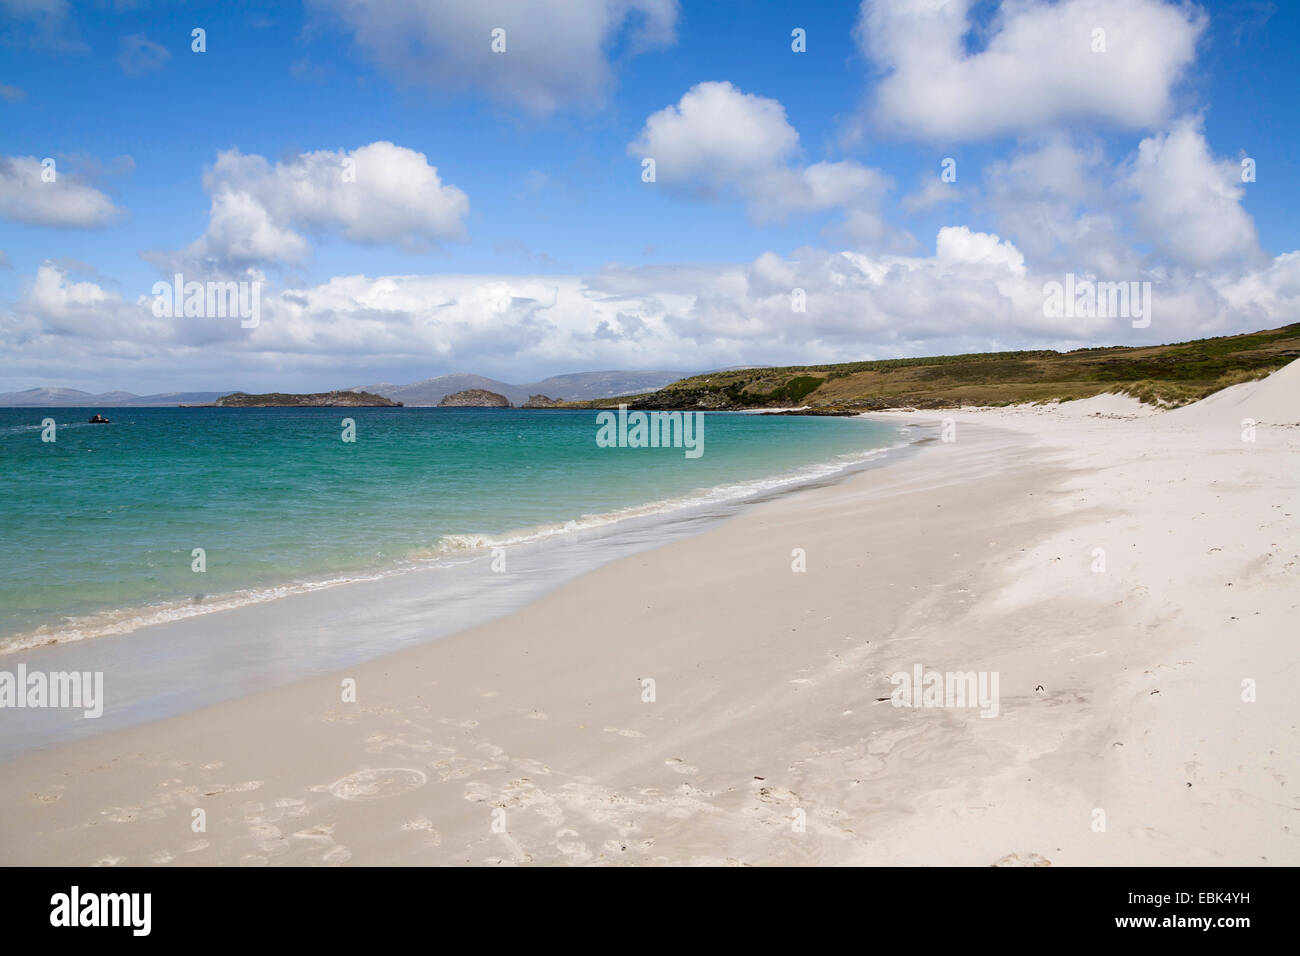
[(281, 624)]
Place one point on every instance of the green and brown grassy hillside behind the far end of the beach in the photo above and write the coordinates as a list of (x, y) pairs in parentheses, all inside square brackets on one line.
[(1160, 375)]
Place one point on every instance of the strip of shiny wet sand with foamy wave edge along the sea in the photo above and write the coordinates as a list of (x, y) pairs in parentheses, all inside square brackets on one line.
[(270, 637)]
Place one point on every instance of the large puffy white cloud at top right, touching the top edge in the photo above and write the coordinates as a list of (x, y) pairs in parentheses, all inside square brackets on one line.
[(1039, 64)]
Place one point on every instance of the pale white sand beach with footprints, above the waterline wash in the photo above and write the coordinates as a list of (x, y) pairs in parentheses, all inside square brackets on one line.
[(1147, 708)]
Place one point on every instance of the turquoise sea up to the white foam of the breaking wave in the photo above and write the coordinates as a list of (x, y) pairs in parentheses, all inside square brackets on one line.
[(99, 527)]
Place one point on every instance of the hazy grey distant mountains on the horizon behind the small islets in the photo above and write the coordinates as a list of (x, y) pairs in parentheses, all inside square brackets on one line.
[(578, 387)]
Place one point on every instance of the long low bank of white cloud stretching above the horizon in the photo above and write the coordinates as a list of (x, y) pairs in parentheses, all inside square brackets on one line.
[(974, 293)]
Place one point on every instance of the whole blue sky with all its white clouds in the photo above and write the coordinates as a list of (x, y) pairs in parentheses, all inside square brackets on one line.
[(1116, 166)]
